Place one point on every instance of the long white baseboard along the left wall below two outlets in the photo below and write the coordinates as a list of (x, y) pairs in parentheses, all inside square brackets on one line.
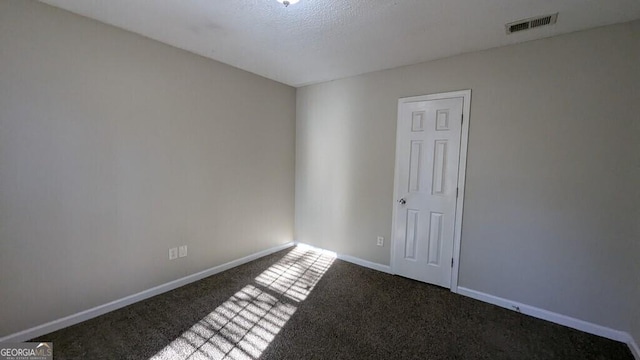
[(128, 300)]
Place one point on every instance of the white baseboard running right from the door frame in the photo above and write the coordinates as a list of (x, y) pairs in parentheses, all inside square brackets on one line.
[(568, 321)]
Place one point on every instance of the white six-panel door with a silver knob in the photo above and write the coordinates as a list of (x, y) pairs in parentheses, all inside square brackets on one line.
[(427, 161)]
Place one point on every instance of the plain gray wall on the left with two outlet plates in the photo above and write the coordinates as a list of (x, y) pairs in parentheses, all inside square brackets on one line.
[(114, 148)]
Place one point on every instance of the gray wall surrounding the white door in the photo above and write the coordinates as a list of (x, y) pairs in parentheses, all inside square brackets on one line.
[(548, 216)]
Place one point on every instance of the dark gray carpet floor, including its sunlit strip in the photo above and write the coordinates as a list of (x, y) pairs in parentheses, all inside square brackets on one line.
[(350, 313)]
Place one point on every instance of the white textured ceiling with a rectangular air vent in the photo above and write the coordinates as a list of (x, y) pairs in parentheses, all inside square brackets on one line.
[(320, 40)]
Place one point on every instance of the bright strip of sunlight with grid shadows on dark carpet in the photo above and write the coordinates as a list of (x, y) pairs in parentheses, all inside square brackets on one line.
[(244, 325)]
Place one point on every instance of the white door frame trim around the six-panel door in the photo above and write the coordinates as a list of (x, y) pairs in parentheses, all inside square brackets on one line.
[(462, 167)]
